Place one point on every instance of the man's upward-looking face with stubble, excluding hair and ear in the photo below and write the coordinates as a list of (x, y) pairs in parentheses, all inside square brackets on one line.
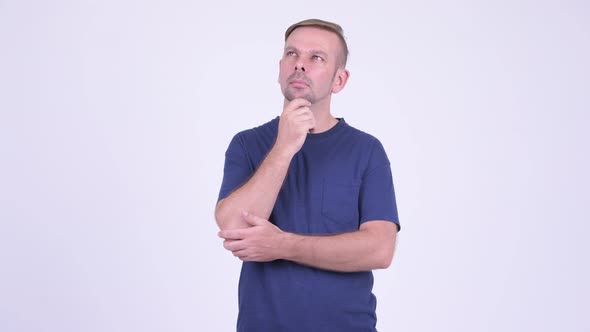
[(309, 64)]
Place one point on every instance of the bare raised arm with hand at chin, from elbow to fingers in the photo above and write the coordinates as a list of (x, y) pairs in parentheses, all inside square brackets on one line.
[(258, 195)]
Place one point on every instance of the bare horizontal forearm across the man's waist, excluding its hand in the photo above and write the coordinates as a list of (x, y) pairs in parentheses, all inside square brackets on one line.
[(362, 250)]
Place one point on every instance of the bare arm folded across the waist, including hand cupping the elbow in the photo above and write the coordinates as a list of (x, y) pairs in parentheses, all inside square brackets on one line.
[(369, 248)]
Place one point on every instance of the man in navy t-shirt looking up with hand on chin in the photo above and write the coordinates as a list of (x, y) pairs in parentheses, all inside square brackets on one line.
[(307, 201)]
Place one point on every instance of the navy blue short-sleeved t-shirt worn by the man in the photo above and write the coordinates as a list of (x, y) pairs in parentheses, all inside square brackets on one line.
[(339, 179)]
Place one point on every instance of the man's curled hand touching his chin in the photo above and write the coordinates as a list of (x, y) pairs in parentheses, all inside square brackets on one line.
[(295, 122)]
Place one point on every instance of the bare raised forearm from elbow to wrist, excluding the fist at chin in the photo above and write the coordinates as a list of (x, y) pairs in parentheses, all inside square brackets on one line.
[(257, 195)]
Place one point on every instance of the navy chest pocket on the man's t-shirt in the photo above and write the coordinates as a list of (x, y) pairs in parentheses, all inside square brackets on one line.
[(340, 204)]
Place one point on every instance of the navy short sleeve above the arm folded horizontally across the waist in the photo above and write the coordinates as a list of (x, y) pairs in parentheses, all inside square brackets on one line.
[(377, 194)]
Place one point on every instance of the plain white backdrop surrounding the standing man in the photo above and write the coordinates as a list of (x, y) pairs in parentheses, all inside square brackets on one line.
[(115, 116)]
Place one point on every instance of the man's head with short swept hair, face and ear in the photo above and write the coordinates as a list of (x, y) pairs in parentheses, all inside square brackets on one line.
[(313, 62)]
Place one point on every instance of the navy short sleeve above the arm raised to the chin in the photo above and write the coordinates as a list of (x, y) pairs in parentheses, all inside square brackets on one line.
[(237, 168)]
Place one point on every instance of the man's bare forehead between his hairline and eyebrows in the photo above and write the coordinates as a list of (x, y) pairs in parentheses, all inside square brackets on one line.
[(312, 38)]
